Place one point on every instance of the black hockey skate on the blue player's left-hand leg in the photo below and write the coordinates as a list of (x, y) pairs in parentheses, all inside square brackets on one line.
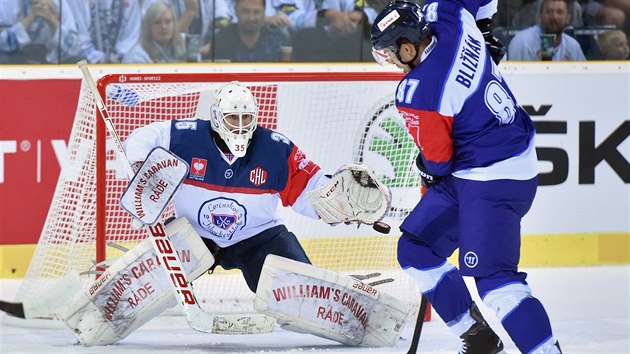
[(480, 338)]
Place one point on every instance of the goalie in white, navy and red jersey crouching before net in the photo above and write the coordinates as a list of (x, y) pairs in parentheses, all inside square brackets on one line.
[(226, 205)]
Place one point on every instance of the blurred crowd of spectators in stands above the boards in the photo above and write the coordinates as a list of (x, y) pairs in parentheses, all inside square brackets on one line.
[(164, 31)]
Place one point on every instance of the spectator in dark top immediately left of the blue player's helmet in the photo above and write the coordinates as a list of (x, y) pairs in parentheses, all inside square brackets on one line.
[(340, 33)]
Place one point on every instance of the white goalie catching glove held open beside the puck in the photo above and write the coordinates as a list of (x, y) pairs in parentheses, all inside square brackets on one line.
[(353, 194)]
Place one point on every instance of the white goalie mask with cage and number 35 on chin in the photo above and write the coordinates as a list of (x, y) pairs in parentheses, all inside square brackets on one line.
[(234, 116)]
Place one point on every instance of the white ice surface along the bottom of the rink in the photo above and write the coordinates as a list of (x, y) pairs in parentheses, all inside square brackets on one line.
[(588, 306)]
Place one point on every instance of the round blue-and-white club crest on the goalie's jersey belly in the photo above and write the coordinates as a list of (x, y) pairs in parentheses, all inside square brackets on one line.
[(222, 217)]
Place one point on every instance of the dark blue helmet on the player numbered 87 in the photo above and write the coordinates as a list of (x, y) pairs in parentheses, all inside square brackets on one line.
[(399, 19)]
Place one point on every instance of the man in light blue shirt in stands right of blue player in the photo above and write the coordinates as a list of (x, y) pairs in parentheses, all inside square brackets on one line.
[(531, 43)]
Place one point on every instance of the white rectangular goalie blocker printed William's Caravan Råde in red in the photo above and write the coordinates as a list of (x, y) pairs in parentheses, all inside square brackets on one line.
[(153, 186)]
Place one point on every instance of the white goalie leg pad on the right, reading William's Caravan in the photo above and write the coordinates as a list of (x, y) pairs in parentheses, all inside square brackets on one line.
[(312, 300)]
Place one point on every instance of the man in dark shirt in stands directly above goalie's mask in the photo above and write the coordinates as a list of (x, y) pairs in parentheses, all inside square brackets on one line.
[(250, 39)]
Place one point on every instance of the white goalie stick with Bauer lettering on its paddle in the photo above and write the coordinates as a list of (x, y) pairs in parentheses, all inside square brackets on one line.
[(196, 318)]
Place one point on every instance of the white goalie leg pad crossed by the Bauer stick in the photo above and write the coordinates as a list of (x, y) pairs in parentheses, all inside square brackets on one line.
[(134, 289)]
